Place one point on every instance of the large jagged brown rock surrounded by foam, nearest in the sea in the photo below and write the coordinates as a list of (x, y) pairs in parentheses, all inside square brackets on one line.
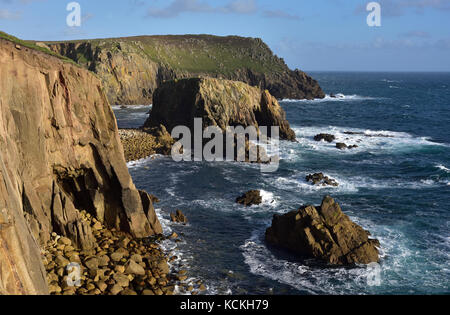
[(325, 233)]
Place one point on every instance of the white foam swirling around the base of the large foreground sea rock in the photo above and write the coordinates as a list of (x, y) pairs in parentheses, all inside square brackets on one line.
[(307, 276)]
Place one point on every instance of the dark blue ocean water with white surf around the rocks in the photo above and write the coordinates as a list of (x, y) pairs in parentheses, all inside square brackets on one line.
[(395, 184)]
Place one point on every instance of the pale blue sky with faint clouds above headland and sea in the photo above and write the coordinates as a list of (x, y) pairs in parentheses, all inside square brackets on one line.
[(319, 35)]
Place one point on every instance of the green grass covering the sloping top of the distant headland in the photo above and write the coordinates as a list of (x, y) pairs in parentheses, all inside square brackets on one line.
[(198, 53)]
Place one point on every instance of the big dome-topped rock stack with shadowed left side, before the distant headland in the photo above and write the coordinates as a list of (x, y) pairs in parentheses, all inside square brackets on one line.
[(220, 103)]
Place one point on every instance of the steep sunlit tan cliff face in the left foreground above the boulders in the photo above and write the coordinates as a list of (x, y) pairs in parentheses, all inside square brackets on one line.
[(59, 153)]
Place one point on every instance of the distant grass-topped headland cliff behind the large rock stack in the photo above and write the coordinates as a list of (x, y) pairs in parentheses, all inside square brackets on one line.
[(131, 69)]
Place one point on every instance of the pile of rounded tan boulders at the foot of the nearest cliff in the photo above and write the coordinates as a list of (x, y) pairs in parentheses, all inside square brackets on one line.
[(116, 265)]
